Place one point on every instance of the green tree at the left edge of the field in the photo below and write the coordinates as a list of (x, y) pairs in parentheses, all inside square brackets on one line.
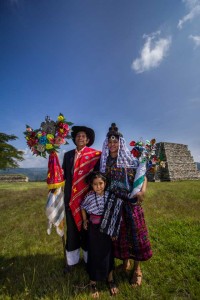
[(9, 155)]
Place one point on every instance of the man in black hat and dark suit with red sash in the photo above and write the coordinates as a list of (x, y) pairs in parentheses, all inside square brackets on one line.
[(77, 164)]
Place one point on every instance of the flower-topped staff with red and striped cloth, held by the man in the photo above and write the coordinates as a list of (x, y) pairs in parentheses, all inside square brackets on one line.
[(46, 141)]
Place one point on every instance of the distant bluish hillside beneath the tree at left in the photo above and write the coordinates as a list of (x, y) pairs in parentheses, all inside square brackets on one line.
[(34, 174)]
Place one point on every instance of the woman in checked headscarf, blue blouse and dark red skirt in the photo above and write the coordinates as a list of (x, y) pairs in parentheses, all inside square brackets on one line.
[(119, 166)]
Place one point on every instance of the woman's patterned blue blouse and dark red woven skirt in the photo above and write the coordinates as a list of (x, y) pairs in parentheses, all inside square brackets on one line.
[(133, 241)]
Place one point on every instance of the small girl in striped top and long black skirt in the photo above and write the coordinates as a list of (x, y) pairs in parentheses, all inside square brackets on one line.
[(100, 263)]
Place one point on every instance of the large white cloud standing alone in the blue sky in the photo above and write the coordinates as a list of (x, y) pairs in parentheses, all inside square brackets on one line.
[(152, 53)]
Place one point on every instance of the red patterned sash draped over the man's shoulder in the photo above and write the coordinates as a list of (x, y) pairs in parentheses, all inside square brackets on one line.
[(83, 166)]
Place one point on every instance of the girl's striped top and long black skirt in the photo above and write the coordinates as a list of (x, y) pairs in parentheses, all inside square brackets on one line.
[(100, 250)]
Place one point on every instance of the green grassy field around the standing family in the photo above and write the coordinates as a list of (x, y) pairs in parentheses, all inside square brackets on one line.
[(31, 262)]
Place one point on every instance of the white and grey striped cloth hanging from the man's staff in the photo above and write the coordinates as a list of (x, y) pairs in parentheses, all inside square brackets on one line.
[(55, 211)]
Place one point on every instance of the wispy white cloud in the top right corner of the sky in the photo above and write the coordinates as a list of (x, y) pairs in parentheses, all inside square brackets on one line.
[(194, 11)]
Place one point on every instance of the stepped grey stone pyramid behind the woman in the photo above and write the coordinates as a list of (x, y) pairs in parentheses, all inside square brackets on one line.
[(179, 163)]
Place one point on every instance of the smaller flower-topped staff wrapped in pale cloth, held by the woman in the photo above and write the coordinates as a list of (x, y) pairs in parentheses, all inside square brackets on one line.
[(146, 154)]
